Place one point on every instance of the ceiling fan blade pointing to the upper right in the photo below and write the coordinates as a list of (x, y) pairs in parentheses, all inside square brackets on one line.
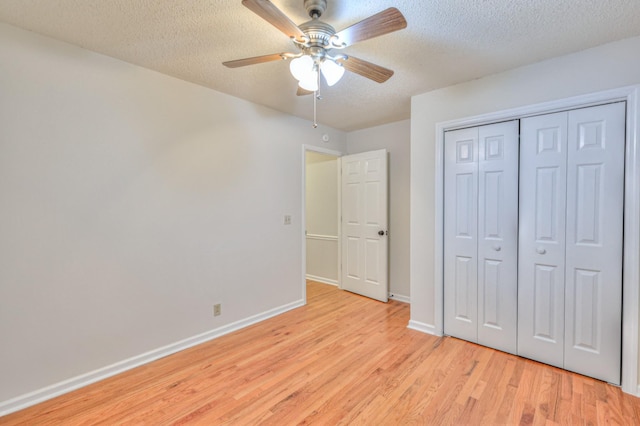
[(387, 21)]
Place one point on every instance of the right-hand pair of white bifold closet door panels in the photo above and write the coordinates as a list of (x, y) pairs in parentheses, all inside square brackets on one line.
[(570, 249)]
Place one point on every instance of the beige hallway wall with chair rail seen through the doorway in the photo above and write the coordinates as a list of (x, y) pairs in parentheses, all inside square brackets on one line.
[(322, 217)]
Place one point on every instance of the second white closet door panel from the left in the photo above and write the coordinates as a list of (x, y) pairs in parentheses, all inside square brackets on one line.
[(497, 235)]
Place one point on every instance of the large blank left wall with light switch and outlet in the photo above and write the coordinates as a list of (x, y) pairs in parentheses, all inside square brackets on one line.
[(131, 202)]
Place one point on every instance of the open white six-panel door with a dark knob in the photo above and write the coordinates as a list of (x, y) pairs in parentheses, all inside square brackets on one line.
[(364, 238)]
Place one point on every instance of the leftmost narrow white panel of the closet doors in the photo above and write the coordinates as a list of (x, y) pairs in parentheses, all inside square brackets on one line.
[(460, 234)]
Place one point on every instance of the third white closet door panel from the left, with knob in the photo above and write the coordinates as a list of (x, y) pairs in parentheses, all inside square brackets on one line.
[(541, 267)]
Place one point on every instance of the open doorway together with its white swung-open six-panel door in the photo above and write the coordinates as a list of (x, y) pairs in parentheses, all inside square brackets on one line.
[(356, 260)]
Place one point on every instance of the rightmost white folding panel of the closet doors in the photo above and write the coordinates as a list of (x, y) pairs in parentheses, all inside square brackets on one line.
[(595, 185)]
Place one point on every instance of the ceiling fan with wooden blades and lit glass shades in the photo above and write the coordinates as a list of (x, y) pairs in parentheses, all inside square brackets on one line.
[(316, 40)]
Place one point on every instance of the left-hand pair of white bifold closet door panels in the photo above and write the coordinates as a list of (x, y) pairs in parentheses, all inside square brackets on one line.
[(480, 254)]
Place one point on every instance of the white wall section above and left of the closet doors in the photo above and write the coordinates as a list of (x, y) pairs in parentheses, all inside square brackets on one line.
[(609, 66)]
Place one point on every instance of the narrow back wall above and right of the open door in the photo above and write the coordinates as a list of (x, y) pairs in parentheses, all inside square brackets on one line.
[(395, 137)]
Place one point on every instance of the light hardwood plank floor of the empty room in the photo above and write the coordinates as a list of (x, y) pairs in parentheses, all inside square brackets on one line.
[(342, 359)]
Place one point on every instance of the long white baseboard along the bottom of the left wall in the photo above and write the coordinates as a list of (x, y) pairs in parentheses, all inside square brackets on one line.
[(57, 389)]
